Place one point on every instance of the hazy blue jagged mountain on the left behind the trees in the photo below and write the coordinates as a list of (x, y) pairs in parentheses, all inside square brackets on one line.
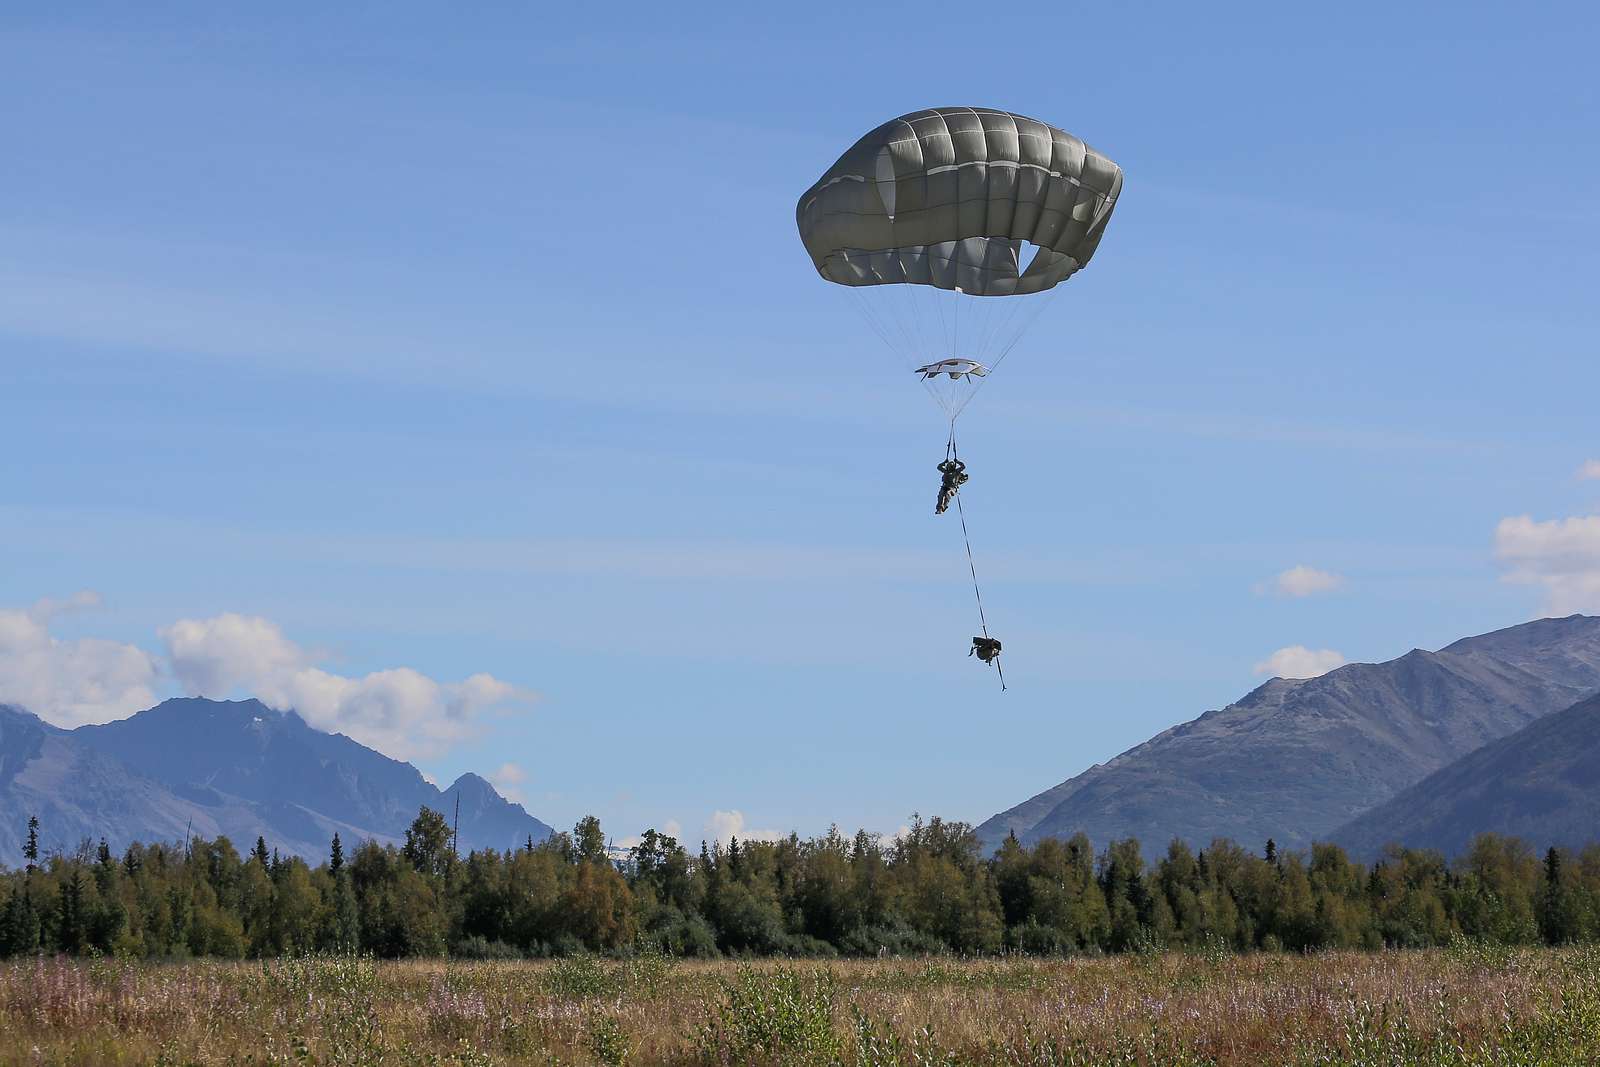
[(226, 767)]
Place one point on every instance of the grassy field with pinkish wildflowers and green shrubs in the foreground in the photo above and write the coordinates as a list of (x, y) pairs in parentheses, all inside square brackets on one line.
[(1468, 1005)]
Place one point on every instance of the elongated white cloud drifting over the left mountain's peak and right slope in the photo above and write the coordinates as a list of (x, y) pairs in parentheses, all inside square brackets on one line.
[(401, 713)]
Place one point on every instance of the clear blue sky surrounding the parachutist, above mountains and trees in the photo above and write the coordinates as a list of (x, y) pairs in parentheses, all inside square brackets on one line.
[(486, 345)]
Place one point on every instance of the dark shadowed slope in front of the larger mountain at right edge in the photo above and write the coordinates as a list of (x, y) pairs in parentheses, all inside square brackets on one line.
[(1542, 785)]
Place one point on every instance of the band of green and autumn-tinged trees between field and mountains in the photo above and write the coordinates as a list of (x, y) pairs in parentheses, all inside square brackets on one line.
[(929, 892)]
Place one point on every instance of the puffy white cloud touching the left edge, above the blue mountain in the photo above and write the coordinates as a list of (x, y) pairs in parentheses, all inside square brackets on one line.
[(71, 682)]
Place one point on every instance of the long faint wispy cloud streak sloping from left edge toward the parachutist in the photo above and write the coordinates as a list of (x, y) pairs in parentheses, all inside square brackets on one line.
[(194, 321)]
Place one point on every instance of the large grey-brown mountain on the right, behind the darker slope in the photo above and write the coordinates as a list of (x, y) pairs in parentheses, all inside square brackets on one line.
[(1297, 759)]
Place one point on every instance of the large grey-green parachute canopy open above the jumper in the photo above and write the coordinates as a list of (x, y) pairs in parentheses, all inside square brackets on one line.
[(950, 196)]
